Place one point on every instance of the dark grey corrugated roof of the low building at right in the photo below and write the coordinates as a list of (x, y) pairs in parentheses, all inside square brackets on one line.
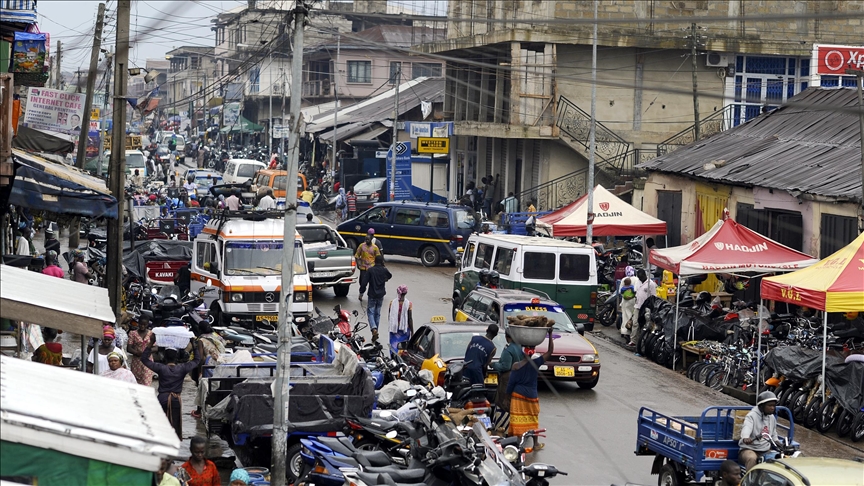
[(808, 146)]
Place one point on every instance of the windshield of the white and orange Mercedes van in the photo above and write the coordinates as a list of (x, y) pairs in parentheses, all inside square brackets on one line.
[(260, 258)]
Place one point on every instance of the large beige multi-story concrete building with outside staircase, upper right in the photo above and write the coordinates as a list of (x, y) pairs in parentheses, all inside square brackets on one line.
[(519, 81)]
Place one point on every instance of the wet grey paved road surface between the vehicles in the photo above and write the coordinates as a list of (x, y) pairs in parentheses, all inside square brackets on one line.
[(592, 433)]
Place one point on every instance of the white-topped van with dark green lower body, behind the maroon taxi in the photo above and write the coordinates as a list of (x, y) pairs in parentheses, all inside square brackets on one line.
[(565, 271)]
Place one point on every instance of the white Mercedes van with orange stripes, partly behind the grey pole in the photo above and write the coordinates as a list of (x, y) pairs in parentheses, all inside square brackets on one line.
[(241, 253)]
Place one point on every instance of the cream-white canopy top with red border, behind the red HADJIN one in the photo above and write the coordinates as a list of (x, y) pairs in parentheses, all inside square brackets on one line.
[(612, 217)]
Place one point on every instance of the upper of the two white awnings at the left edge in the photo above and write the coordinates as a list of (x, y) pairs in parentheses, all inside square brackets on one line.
[(55, 302)]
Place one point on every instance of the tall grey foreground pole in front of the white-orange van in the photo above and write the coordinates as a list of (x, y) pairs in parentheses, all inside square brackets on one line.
[(283, 364)]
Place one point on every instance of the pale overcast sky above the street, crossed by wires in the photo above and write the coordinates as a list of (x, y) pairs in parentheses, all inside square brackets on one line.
[(156, 26)]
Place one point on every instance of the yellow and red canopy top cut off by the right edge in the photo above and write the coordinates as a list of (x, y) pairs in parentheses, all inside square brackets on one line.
[(835, 284)]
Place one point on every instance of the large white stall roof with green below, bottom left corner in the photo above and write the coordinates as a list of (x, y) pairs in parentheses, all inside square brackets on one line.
[(84, 415)]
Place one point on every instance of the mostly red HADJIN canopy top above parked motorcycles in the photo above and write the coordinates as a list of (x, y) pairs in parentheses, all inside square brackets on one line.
[(729, 247)]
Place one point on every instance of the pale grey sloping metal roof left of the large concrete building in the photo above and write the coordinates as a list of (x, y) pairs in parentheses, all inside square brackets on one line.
[(381, 107)]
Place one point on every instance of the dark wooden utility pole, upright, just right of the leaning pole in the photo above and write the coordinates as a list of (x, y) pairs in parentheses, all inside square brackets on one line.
[(117, 167)]
